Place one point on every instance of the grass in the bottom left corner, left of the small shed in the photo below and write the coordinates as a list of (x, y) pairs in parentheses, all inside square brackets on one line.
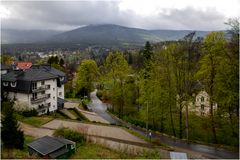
[(17, 153)]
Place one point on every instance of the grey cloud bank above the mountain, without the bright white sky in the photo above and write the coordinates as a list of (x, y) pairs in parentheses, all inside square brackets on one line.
[(65, 15)]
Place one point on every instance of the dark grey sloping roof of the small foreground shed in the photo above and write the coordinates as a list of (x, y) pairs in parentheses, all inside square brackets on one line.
[(46, 145)]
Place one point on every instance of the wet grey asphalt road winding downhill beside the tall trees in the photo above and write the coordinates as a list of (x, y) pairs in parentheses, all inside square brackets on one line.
[(208, 151)]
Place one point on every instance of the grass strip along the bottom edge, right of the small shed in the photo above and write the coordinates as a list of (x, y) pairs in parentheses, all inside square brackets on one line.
[(93, 151)]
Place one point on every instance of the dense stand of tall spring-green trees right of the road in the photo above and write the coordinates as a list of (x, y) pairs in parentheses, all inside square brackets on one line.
[(153, 87)]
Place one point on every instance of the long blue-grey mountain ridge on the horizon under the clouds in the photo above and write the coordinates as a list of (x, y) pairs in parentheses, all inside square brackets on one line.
[(101, 34)]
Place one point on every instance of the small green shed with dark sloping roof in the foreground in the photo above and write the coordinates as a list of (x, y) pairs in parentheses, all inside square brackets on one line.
[(51, 147)]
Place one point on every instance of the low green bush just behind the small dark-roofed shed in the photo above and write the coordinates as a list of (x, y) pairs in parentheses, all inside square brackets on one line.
[(71, 135)]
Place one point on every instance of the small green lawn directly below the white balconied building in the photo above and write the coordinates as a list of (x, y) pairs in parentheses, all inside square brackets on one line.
[(36, 121)]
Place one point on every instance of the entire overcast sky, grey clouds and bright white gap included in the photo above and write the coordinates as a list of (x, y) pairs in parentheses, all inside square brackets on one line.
[(147, 14)]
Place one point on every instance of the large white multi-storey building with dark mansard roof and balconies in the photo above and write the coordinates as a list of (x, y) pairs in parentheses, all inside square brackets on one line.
[(39, 87)]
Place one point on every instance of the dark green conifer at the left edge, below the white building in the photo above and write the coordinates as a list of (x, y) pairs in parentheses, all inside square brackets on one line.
[(11, 135)]
